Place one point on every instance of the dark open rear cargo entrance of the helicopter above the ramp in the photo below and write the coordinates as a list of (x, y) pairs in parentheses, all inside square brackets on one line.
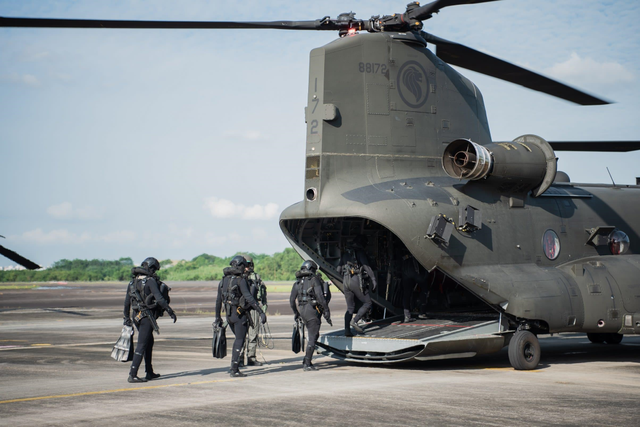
[(397, 271)]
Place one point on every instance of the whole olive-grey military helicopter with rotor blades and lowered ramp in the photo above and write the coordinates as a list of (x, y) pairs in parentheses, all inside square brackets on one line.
[(398, 149)]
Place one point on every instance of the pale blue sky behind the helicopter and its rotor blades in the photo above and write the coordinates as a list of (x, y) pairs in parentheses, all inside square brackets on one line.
[(174, 143)]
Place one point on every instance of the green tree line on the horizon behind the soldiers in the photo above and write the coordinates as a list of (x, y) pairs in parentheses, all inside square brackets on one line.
[(280, 266)]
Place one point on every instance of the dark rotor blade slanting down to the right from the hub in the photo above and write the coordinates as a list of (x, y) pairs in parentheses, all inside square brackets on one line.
[(463, 56)]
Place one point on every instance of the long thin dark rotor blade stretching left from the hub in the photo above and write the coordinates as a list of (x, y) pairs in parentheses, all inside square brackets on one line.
[(323, 24)]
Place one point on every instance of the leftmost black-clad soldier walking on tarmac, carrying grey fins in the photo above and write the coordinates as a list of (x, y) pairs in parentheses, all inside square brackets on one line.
[(147, 296)]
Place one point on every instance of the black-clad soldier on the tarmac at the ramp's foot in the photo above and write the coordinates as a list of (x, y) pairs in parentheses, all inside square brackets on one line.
[(311, 305)]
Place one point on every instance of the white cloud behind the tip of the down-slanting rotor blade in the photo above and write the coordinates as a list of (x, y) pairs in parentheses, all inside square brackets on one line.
[(587, 71)]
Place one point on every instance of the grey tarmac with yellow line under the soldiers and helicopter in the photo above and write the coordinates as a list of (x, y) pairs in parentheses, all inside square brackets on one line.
[(55, 369)]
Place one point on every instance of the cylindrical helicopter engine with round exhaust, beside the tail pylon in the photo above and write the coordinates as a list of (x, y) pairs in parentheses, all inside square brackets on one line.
[(526, 163)]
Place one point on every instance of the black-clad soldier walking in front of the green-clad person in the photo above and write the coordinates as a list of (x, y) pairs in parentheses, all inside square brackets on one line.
[(238, 301)]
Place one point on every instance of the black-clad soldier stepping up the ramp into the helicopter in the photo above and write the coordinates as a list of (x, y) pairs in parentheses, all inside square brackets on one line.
[(357, 276)]
